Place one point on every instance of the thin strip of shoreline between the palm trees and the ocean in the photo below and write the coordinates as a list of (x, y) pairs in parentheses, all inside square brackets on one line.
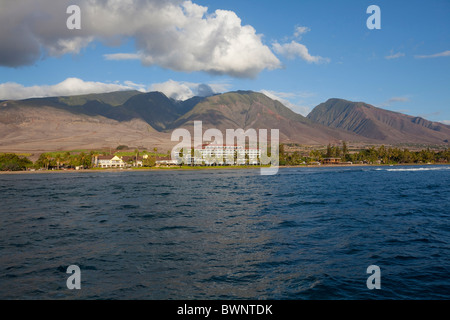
[(218, 168)]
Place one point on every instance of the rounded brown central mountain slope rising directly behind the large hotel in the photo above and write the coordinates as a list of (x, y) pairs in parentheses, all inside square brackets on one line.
[(247, 109)]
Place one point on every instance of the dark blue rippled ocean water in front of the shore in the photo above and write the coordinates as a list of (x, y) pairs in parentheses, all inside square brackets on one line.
[(305, 233)]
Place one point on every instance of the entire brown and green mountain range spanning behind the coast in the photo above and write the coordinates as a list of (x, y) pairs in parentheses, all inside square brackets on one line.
[(146, 120)]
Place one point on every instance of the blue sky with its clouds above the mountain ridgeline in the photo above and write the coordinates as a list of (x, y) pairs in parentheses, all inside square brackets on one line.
[(305, 52)]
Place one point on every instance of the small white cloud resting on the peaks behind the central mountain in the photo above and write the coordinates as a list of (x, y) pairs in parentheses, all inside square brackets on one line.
[(185, 90)]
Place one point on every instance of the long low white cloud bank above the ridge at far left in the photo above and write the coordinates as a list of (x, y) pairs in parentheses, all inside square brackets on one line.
[(70, 86)]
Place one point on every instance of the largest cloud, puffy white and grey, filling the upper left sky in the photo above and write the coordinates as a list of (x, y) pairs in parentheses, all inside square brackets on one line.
[(174, 34)]
